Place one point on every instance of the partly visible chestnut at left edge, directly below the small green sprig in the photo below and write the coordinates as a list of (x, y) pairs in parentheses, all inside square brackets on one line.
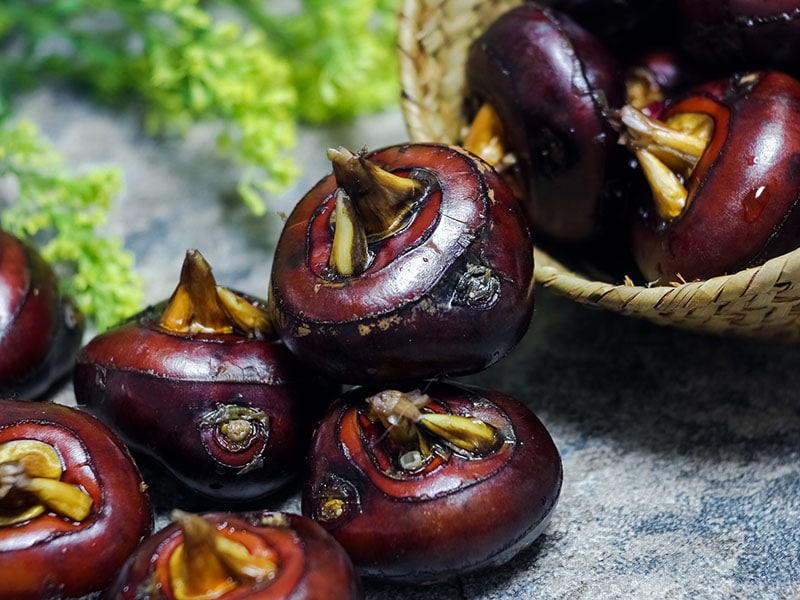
[(40, 331)]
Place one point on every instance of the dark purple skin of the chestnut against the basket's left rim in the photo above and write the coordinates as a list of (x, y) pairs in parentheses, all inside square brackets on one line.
[(552, 84)]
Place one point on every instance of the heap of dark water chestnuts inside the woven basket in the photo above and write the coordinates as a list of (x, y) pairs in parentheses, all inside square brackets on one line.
[(656, 142)]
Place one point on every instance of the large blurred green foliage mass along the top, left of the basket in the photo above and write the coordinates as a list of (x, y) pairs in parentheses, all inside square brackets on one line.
[(231, 62)]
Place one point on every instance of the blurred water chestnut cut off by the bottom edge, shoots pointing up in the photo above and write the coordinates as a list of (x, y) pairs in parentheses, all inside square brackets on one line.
[(256, 555)]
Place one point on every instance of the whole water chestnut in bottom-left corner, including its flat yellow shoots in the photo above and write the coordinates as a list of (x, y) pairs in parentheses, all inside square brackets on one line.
[(73, 505)]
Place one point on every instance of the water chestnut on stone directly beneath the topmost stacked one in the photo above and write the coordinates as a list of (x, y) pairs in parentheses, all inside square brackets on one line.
[(419, 486)]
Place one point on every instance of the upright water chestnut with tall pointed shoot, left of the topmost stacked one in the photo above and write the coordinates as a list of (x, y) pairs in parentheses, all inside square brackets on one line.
[(199, 384)]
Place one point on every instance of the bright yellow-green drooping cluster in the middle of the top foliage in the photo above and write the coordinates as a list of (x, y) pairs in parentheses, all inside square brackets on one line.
[(206, 70)]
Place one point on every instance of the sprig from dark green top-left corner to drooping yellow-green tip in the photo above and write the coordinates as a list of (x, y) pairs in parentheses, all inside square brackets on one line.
[(180, 64)]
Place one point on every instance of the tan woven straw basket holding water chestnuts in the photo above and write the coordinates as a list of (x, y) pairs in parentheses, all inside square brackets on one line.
[(760, 302)]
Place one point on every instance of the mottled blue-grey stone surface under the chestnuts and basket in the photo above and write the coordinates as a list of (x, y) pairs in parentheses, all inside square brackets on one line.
[(680, 451)]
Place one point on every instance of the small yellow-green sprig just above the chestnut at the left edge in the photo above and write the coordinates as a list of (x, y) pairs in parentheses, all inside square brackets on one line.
[(60, 211)]
